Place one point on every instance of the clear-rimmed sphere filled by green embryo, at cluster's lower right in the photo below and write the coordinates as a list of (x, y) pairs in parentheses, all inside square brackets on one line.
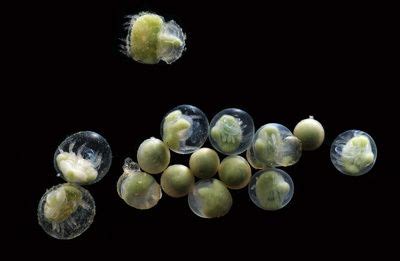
[(271, 189)]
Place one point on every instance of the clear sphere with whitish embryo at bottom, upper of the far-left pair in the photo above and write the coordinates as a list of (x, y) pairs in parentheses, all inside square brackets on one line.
[(83, 158)]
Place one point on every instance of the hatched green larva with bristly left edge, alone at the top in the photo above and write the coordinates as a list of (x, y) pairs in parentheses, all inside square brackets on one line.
[(151, 39)]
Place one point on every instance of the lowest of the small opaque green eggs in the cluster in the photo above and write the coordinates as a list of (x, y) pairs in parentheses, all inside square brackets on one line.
[(177, 181)]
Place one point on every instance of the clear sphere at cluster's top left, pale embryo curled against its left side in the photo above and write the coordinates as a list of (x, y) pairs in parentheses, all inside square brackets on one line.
[(184, 129)]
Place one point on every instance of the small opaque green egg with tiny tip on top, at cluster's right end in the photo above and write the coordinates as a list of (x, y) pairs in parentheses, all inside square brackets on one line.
[(310, 132)]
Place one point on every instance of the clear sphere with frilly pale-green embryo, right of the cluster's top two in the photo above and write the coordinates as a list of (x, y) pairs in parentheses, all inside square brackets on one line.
[(231, 131)]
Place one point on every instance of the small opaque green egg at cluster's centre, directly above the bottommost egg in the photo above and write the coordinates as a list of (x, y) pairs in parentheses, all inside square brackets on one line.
[(204, 163)]
